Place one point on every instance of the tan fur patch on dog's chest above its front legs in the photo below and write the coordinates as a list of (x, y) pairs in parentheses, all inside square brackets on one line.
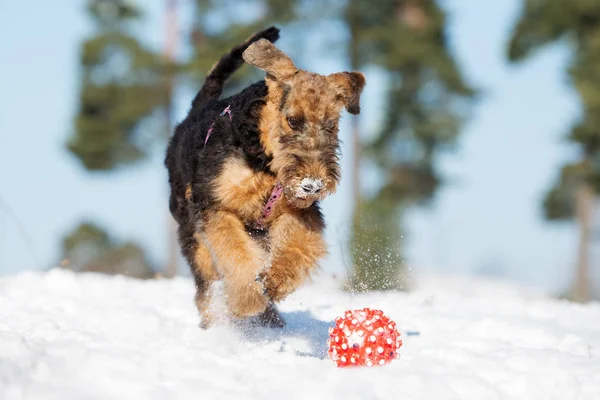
[(243, 191)]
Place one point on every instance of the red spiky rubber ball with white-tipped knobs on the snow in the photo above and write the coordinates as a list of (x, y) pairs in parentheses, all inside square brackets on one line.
[(363, 337)]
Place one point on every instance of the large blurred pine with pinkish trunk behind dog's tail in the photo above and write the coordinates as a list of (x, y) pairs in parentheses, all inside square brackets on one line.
[(126, 89)]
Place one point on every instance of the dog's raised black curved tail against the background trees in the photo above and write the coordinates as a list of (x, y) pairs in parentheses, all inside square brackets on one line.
[(227, 65)]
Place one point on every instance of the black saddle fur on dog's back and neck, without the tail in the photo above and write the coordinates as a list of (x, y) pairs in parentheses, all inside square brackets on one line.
[(189, 162)]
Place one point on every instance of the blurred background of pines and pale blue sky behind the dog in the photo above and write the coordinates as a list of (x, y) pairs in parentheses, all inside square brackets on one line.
[(478, 150)]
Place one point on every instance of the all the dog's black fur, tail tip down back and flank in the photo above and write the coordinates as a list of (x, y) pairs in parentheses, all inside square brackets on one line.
[(189, 162)]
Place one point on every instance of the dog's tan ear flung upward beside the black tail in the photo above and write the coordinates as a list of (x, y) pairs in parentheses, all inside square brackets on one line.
[(264, 55)]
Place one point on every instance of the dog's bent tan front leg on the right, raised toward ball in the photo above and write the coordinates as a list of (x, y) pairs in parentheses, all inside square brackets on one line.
[(296, 249)]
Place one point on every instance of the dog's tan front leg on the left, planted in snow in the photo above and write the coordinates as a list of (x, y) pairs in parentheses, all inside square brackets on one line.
[(239, 259)]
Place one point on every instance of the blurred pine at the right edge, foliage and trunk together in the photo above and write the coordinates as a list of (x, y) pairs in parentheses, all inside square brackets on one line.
[(576, 23)]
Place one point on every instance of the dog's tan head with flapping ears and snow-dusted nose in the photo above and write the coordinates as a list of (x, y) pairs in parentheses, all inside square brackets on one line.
[(299, 125)]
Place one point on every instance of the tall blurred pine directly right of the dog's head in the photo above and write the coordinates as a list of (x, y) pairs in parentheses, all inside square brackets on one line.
[(426, 101)]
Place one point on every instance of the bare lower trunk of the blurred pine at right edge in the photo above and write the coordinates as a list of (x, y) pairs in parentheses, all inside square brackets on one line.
[(585, 203)]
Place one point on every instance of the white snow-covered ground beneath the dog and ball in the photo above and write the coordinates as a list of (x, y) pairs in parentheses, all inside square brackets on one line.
[(65, 336)]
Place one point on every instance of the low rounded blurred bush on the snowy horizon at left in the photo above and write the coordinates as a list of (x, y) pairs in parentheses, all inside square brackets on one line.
[(88, 248)]
